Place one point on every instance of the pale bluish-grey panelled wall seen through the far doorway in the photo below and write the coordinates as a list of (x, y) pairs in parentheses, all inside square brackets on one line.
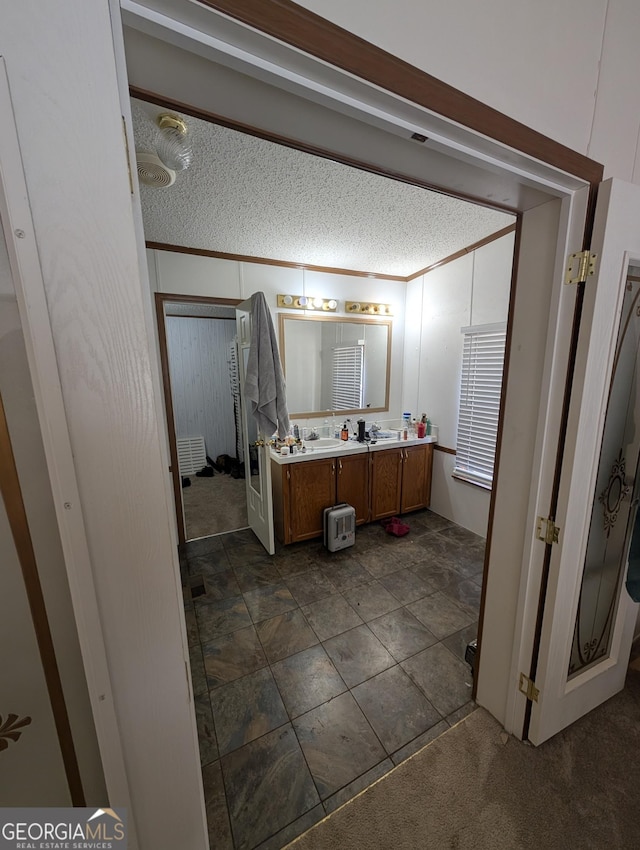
[(198, 353)]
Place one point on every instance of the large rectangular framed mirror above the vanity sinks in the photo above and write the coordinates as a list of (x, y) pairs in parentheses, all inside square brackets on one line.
[(334, 363)]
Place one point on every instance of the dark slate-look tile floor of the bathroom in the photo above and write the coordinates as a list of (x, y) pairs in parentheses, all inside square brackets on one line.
[(314, 673)]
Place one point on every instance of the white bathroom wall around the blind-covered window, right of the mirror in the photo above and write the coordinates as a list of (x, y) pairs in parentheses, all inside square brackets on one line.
[(472, 290)]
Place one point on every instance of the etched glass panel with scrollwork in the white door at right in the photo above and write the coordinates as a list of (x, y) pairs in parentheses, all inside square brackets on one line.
[(614, 502)]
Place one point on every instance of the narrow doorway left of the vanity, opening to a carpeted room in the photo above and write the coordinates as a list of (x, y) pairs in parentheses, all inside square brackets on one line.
[(202, 403)]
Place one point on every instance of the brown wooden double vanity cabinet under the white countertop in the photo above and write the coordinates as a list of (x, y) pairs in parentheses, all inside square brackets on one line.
[(380, 480)]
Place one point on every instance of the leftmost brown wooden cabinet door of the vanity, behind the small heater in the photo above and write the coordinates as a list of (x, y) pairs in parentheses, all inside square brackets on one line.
[(312, 488)]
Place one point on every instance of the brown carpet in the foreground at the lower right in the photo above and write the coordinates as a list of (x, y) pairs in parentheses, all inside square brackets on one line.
[(475, 787)]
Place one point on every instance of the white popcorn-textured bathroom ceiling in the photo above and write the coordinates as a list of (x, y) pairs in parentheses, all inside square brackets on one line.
[(244, 195)]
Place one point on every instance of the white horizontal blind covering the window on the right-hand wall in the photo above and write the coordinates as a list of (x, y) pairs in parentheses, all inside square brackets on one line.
[(480, 386)]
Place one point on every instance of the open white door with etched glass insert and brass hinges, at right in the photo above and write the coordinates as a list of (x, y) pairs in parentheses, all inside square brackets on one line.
[(588, 617)]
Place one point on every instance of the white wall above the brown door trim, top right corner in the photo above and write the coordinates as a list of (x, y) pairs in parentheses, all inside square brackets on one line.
[(568, 70)]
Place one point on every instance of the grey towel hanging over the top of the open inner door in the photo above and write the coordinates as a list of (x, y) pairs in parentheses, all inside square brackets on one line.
[(264, 383)]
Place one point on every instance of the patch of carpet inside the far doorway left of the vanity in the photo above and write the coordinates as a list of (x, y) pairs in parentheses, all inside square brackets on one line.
[(214, 505)]
